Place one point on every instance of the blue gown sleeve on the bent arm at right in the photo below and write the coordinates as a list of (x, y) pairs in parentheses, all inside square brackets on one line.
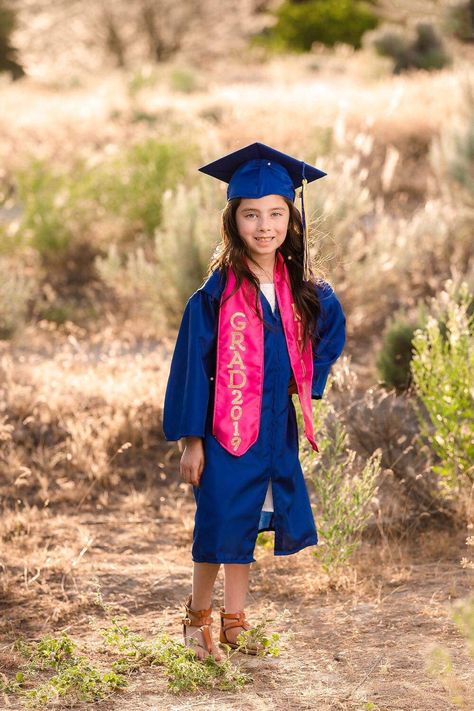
[(331, 327)]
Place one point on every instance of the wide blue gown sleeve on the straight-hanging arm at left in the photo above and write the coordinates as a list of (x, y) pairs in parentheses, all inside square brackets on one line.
[(192, 366)]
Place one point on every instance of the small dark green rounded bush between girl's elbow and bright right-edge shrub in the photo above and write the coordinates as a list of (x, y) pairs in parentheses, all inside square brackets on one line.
[(393, 361)]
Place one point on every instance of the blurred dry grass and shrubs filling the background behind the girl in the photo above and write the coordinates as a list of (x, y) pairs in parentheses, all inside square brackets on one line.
[(106, 227)]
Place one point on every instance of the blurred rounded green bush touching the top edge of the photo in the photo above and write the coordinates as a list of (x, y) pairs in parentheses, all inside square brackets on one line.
[(301, 23)]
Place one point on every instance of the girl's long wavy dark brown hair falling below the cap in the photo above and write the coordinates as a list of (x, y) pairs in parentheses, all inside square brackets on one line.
[(232, 252)]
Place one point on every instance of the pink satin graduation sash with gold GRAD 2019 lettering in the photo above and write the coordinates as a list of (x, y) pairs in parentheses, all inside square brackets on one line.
[(239, 369)]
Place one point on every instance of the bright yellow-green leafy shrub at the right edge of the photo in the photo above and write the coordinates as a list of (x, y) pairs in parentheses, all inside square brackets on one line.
[(443, 375)]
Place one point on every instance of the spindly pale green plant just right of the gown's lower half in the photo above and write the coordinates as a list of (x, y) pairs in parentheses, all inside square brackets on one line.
[(344, 487)]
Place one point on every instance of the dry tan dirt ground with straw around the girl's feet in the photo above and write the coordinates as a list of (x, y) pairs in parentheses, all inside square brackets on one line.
[(361, 644)]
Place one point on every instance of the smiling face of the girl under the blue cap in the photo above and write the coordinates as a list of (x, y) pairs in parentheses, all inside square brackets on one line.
[(262, 224)]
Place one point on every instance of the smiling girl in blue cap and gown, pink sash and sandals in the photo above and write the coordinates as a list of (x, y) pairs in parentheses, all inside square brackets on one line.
[(260, 329)]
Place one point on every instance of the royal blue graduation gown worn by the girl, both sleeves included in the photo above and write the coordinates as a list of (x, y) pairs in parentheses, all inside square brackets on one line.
[(232, 489)]
